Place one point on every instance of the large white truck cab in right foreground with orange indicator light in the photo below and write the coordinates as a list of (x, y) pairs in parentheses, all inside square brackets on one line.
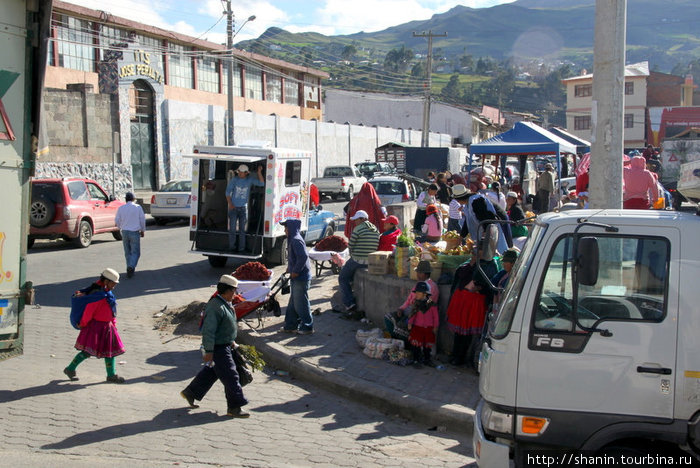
[(595, 351)]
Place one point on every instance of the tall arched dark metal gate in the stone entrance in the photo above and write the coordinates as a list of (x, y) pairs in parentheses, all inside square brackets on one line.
[(142, 142)]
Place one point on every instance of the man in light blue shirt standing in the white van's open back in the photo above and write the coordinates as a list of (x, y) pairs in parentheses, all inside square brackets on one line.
[(237, 193)]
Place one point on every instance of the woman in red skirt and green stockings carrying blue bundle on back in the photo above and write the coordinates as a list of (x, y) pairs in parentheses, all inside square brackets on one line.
[(98, 325)]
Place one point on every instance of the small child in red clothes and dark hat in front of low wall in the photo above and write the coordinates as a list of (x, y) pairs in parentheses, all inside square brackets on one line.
[(423, 325)]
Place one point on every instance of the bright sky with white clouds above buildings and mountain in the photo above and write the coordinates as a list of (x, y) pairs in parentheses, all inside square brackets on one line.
[(205, 19)]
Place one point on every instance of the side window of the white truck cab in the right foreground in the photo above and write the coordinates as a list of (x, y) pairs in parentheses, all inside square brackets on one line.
[(631, 285)]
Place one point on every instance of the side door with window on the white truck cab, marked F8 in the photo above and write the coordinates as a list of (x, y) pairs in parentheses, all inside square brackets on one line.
[(563, 367)]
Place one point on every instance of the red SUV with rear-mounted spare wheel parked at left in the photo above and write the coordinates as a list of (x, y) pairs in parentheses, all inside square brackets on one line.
[(73, 209)]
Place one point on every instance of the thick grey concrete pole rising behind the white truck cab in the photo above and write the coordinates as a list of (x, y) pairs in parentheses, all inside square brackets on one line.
[(607, 109)]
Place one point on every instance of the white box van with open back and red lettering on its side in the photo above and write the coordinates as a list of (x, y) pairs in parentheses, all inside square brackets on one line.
[(285, 195)]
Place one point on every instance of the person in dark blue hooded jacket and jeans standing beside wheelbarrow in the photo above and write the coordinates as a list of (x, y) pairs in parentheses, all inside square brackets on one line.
[(297, 318)]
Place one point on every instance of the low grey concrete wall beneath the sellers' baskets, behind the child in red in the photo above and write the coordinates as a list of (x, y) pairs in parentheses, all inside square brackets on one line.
[(394, 292)]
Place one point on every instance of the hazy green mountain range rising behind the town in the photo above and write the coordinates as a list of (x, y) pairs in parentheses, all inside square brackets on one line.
[(663, 32)]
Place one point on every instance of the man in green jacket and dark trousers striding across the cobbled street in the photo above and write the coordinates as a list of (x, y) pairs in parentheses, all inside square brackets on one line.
[(219, 330)]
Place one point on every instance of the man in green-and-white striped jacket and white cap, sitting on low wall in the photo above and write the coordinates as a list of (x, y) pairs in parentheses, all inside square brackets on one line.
[(363, 241)]
